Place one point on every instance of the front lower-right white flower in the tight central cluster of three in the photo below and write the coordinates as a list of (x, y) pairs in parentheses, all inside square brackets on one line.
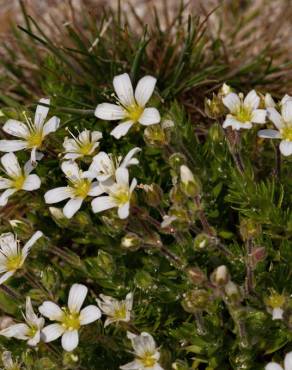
[(119, 194)]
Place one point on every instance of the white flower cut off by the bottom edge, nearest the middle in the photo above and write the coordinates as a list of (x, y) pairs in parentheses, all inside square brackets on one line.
[(147, 355)]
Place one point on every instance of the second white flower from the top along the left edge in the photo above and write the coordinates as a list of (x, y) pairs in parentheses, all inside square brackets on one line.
[(18, 178)]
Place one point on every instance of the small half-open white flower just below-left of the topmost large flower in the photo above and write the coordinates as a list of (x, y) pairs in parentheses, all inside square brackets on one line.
[(83, 145)]
